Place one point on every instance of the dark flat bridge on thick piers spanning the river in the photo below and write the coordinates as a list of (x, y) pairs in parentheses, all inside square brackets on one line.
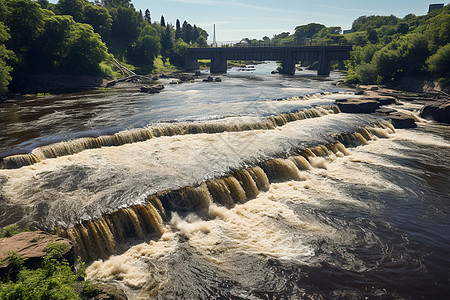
[(288, 55)]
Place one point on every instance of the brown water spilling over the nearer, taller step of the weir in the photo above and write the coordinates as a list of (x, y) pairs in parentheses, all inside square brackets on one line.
[(110, 234)]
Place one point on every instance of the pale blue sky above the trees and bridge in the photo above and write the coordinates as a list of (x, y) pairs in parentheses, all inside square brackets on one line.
[(237, 19)]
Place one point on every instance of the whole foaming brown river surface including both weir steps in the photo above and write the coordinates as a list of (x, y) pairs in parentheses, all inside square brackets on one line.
[(216, 190)]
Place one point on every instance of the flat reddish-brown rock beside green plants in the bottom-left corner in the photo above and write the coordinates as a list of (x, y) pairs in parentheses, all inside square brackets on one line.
[(31, 246)]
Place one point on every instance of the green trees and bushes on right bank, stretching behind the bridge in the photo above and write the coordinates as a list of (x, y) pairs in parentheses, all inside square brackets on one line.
[(386, 48)]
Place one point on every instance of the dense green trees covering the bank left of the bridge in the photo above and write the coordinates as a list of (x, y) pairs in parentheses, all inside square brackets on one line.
[(77, 37)]
